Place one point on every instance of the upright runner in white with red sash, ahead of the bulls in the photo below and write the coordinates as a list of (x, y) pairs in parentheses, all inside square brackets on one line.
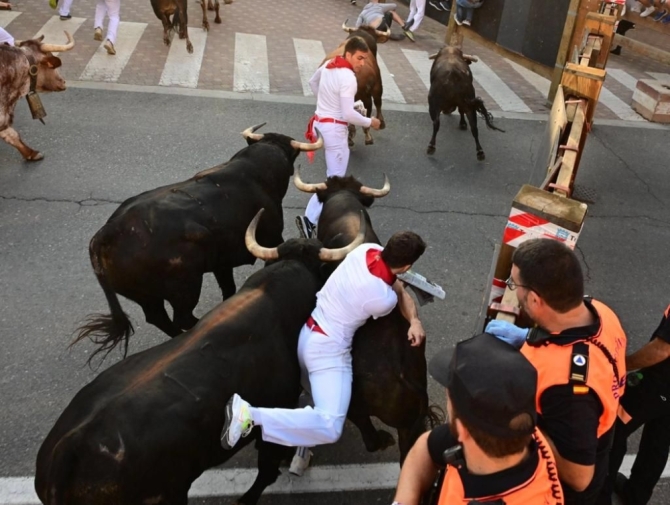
[(334, 85)]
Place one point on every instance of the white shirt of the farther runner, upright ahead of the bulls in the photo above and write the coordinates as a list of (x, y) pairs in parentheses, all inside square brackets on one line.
[(335, 90)]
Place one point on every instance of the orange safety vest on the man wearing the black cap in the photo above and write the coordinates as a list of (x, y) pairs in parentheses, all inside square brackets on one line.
[(542, 488)]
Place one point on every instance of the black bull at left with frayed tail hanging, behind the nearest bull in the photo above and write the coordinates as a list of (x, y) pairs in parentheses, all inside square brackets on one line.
[(157, 245)]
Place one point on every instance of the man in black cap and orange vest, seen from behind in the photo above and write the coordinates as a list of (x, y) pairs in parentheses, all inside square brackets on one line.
[(492, 451)]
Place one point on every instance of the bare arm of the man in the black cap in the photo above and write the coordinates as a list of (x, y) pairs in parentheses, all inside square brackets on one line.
[(417, 474)]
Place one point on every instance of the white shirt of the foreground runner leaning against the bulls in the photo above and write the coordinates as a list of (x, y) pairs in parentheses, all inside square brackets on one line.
[(351, 295)]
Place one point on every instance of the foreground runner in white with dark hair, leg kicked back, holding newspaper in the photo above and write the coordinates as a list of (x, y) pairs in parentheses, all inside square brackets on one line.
[(364, 285)]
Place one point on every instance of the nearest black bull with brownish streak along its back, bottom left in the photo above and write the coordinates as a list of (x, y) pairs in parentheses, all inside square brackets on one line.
[(147, 427)]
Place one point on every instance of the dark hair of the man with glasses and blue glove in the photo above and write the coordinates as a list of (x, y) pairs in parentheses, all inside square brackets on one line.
[(552, 270)]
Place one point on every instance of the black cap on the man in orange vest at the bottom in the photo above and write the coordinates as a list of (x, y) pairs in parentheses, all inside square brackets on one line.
[(489, 382)]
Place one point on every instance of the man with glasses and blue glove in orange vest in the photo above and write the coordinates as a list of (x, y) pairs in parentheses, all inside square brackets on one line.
[(578, 348)]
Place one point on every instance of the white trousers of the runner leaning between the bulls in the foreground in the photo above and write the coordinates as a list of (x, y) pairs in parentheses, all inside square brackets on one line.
[(329, 369)]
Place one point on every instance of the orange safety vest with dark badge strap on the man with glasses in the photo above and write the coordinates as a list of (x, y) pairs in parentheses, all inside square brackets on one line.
[(556, 365)]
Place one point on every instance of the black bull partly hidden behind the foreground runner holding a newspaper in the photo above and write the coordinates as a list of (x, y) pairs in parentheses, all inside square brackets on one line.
[(383, 359)]
